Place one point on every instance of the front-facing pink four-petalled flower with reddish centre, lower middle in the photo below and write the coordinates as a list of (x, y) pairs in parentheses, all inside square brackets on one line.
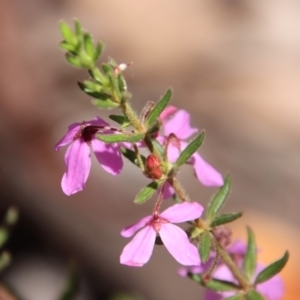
[(137, 252)]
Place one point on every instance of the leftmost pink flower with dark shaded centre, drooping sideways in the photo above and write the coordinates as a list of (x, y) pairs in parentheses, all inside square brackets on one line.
[(78, 157)]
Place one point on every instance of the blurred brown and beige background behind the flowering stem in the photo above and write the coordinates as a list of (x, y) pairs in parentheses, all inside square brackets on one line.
[(235, 65)]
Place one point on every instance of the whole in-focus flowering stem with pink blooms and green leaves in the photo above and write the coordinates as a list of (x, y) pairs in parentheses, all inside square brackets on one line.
[(165, 131)]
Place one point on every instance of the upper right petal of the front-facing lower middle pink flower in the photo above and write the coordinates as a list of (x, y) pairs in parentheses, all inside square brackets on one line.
[(182, 212)]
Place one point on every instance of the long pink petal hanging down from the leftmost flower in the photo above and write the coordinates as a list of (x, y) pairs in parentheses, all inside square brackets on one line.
[(78, 162)]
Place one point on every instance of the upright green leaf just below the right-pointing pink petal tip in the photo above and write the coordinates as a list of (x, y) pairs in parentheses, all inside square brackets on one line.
[(218, 200)]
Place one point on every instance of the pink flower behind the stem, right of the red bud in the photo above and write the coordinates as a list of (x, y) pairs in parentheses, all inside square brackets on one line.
[(179, 125)]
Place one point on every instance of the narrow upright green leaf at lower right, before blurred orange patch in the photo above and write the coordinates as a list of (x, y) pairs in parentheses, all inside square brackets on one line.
[(249, 264)]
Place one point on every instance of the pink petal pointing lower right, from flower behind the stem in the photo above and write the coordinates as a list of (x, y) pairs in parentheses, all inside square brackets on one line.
[(205, 173)]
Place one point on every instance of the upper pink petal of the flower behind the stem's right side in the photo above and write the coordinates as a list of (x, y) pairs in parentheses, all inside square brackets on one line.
[(180, 125)]
